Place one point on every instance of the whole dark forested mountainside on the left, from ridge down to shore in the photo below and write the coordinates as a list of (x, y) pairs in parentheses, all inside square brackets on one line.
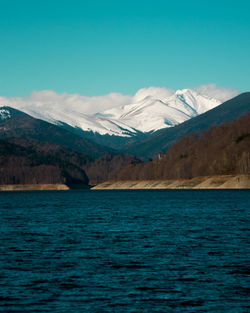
[(36, 152)]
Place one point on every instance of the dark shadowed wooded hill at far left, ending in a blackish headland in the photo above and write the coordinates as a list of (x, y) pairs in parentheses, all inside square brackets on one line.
[(30, 162)]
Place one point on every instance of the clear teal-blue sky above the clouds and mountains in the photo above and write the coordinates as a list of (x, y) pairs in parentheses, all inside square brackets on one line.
[(96, 47)]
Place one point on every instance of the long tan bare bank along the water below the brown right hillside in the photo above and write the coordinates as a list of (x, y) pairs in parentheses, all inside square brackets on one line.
[(202, 182)]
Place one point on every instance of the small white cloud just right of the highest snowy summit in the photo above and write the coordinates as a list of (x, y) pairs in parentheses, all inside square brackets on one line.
[(220, 93)]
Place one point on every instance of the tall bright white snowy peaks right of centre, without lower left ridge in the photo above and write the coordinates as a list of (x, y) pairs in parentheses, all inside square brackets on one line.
[(152, 113)]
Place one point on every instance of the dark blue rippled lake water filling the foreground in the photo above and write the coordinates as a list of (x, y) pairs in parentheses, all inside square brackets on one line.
[(124, 251)]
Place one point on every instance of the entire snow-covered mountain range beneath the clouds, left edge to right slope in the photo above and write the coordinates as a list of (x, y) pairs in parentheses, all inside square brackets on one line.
[(150, 109)]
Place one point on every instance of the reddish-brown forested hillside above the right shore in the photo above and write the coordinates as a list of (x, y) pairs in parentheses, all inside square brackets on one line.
[(223, 149)]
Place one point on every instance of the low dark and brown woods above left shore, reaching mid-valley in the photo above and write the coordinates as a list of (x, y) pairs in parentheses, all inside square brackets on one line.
[(27, 161)]
